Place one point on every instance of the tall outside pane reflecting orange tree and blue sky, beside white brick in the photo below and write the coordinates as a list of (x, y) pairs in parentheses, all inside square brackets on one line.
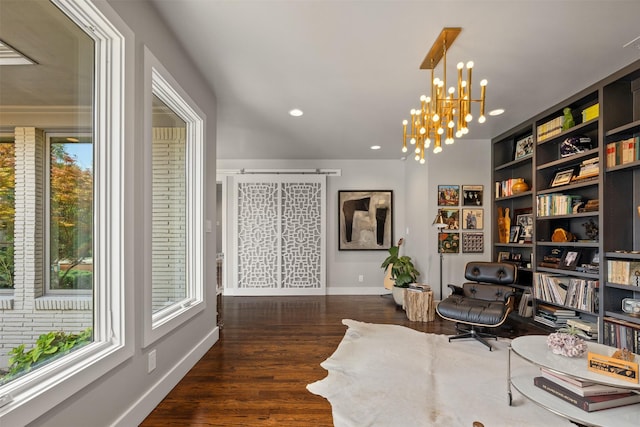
[(70, 213)]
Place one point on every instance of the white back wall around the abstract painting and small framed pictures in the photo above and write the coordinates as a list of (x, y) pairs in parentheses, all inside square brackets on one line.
[(415, 207)]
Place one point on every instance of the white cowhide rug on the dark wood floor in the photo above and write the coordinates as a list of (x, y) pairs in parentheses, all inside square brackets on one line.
[(390, 375)]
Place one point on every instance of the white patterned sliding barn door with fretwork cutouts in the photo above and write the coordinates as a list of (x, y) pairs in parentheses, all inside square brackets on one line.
[(279, 235)]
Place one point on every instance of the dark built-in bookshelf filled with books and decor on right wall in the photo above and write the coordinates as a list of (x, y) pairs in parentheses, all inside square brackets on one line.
[(584, 201)]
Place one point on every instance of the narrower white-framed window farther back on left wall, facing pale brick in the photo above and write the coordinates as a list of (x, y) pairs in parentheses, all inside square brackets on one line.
[(175, 291)]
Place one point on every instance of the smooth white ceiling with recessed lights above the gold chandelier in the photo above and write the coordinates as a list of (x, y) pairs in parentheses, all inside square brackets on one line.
[(353, 66)]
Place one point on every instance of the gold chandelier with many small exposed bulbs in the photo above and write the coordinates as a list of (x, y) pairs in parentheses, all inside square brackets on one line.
[(445, 113)]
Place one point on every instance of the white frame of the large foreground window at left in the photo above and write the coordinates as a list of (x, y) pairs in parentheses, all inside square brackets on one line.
[(30, 396)]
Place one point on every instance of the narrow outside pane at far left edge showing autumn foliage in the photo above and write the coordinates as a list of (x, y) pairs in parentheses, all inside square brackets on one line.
[(7, 212)]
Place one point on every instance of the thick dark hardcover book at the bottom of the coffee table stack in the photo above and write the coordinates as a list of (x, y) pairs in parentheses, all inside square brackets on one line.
[(587, 403)]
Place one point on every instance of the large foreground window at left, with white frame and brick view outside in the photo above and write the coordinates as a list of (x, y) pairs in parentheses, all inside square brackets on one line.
[(76, 84)]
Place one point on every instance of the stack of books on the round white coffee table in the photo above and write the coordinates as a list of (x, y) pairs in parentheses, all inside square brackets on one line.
[(585, 395)]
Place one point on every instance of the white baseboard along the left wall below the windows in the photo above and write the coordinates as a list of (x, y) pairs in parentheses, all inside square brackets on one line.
[(141, 408)]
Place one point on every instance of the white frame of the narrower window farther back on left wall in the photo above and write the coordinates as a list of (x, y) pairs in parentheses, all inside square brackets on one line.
[(159, 82)]
